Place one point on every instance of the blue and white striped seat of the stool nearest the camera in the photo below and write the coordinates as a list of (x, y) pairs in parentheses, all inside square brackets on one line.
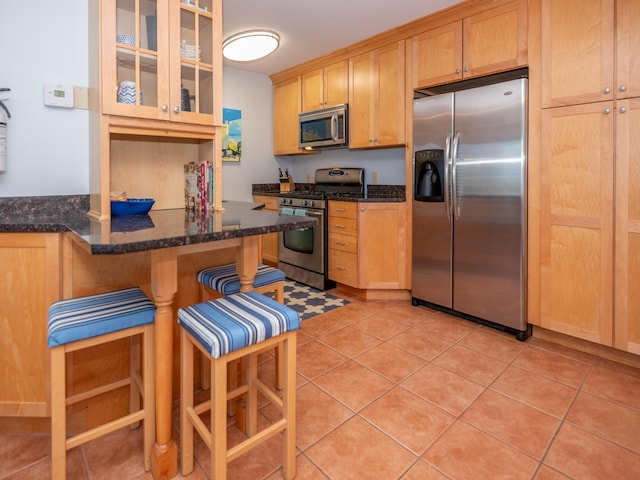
[(237, 321)]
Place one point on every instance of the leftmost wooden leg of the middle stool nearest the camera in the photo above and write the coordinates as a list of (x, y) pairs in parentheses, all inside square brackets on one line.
[(186, 397)]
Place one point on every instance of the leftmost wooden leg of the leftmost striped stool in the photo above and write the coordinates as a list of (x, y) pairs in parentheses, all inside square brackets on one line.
[(58, 414)]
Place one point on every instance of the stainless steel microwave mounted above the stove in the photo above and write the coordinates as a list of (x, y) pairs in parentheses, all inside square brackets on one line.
[(324, 128)]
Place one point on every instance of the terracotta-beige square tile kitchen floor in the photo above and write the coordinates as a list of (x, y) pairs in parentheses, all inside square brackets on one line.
[(390, 391)]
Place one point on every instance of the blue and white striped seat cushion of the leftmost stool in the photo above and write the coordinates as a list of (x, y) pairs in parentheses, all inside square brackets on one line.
[(94, 315)]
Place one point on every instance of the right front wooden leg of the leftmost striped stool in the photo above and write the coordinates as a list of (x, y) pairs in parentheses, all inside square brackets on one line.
[(149, 394)]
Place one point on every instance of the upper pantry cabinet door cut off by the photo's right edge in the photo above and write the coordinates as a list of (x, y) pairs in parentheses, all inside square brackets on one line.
[(628, 48)]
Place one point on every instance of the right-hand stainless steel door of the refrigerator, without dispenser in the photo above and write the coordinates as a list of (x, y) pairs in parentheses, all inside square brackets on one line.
[(489, 203)]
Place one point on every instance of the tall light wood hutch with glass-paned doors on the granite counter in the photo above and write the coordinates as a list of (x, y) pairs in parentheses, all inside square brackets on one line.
[(140, 142)]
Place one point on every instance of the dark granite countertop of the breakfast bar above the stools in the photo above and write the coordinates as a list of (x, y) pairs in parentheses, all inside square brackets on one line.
[(158, 229)]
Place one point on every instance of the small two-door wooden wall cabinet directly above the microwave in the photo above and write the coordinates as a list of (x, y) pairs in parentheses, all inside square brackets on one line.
[(325, 87)]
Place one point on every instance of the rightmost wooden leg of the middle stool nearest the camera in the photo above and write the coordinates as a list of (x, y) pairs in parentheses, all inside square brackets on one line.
[(289, 406)]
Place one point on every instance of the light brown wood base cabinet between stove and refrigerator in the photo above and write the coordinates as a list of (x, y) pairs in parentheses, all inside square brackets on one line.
[(367, 244)]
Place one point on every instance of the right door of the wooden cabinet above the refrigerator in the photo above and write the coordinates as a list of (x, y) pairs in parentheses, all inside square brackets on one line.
[(495, 40)]
